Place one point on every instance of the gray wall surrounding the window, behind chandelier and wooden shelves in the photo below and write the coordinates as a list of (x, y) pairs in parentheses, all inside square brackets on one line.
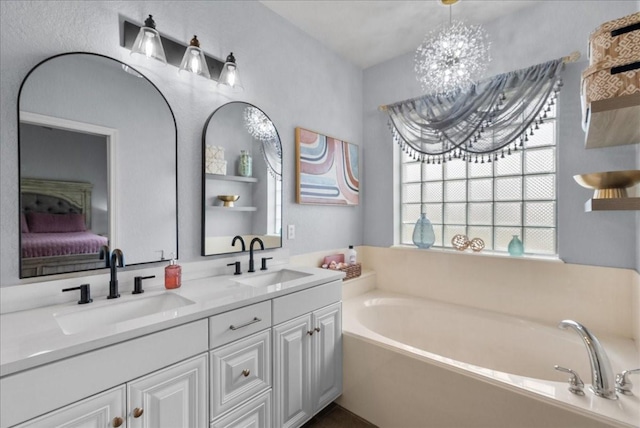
[(545, 31)]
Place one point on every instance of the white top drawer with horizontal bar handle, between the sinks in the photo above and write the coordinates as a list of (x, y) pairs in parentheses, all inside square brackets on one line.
[(239, 323)]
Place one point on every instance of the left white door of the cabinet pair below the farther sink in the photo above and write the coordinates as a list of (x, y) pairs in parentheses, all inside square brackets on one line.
[(291, 376)]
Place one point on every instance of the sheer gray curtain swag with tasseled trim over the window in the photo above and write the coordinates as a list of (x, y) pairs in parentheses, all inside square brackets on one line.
[(486, 121)]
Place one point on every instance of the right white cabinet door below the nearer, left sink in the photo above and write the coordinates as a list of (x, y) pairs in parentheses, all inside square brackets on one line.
[(170, 398)]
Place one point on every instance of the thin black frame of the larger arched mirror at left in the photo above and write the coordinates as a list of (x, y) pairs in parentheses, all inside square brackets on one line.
[(175, 126)]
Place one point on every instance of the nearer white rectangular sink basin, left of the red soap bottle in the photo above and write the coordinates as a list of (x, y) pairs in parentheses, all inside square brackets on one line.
[(76, 321)]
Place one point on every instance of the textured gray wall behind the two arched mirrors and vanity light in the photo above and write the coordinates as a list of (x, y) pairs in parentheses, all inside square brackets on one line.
[(291, 76)]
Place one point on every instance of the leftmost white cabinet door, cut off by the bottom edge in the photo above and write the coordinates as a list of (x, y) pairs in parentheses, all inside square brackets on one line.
[(102, 410)]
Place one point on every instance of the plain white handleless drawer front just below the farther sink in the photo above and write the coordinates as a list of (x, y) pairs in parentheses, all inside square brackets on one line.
[(295, 304)]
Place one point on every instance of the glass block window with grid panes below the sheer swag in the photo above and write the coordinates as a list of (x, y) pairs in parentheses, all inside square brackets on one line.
[(515, 195)]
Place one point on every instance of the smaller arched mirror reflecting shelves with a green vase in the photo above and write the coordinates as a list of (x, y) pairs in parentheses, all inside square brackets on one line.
[(242, 179)]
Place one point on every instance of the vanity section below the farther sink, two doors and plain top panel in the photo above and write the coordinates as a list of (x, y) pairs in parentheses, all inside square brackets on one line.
[(307, 355)]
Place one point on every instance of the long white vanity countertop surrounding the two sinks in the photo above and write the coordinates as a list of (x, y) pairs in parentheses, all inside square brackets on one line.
[(33, 337)]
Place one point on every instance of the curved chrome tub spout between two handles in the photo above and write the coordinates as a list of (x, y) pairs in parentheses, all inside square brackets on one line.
[(602, 379)]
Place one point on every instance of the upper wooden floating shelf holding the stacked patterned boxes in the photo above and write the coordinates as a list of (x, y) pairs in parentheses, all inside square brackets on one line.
[(613, 122)]
